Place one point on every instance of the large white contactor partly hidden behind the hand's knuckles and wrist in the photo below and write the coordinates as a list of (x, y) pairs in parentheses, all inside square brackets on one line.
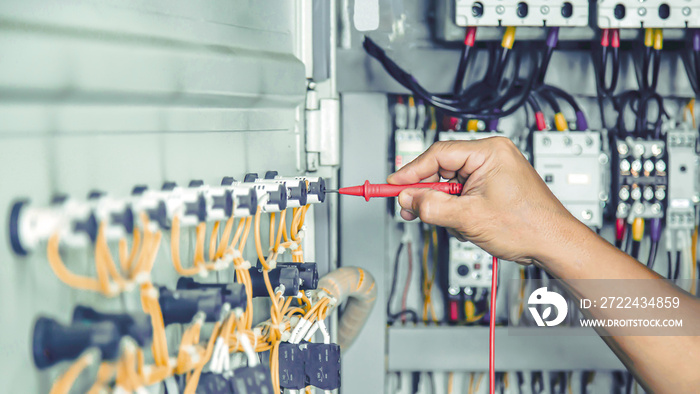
[(575, 168)]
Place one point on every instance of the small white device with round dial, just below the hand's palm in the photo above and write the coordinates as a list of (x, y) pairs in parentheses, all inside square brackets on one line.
[(469, 266)]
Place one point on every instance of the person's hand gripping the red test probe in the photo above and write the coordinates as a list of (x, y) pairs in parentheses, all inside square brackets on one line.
[(505, 207)]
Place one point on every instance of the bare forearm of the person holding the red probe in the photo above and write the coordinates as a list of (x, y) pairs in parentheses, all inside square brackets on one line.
[(660, 363)]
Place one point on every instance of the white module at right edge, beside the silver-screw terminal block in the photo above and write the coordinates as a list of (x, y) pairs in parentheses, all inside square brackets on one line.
[(682, 179)]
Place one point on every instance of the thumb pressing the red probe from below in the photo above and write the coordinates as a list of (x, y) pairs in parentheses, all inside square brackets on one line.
[(432, 206)]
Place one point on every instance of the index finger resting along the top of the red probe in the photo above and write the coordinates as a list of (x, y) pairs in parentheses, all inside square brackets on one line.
[(460, 157)]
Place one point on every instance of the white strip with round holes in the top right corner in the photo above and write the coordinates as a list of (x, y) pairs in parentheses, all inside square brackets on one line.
[(648, 14)]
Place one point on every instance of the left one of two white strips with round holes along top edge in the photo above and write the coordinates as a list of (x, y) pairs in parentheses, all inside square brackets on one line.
[(536, 13)]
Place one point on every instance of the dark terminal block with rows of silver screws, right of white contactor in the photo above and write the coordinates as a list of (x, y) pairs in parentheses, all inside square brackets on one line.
[(640, 185)]
